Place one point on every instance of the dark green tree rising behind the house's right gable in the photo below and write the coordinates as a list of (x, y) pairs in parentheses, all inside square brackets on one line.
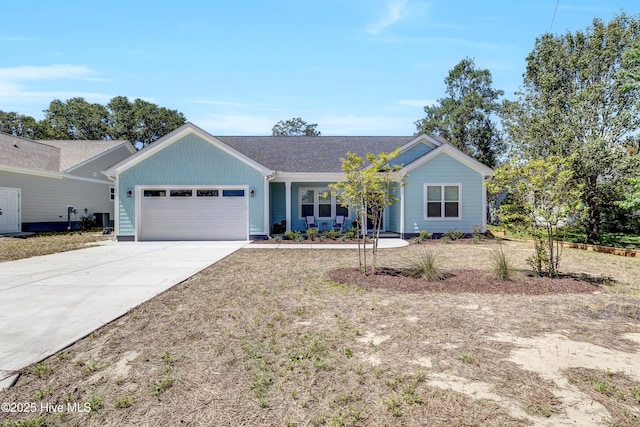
[(464, 118)]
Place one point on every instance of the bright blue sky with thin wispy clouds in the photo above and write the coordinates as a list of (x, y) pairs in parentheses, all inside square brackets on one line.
[(354, 67)]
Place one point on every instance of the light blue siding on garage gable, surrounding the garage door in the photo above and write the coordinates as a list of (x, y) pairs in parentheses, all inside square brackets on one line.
[(191, 161)]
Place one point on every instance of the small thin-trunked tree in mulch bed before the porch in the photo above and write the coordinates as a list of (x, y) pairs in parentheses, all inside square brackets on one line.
[(368, 191)]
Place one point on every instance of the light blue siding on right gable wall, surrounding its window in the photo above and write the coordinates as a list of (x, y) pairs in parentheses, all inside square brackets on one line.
[(443, 169)]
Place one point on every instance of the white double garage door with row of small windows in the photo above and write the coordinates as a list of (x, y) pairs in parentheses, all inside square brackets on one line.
[(179, 213)]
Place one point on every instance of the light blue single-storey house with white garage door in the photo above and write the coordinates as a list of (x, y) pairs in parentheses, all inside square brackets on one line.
[(190, 185)]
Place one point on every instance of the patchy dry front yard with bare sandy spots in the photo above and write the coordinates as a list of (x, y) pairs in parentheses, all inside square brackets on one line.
[(273, 337)]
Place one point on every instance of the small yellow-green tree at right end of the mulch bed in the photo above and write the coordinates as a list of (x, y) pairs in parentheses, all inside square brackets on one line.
[(541, 198)]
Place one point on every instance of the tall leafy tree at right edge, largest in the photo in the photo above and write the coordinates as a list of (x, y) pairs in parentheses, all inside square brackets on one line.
[(576, 101)]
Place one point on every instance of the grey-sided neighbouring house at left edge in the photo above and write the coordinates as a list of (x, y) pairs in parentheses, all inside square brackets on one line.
[(50, 185)]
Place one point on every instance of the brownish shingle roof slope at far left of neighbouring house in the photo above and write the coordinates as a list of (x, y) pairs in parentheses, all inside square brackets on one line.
[(24, 153)]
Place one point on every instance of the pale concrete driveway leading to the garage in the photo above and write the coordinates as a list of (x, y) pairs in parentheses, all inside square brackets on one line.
[(51, 301)]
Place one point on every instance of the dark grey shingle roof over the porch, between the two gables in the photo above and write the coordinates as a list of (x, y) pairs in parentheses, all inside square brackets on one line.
[(310, 153)]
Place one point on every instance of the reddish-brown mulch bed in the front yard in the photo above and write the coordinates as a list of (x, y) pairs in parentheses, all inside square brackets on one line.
[(464, 280)]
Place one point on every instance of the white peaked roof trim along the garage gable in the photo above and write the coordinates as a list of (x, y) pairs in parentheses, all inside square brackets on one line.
[(176, 135)]
